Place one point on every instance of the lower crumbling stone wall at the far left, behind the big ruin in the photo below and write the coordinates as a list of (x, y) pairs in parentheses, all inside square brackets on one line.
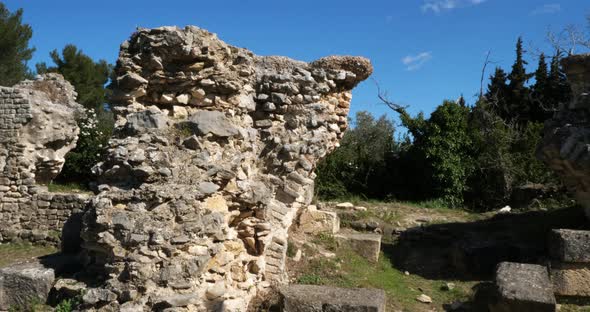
[(37, 129)]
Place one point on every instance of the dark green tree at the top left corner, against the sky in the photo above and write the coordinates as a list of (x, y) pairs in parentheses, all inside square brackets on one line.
[(14, 47)]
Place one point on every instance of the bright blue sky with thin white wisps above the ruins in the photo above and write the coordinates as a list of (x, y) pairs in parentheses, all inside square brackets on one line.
[(423, 51)]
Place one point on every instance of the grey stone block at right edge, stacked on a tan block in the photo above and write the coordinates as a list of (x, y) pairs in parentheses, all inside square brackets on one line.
[(570, 246)]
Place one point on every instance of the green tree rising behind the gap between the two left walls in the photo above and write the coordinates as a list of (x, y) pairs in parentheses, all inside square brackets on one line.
[(87, 76)]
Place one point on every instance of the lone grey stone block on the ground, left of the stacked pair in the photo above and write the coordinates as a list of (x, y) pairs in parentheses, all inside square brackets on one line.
[(523, 288)]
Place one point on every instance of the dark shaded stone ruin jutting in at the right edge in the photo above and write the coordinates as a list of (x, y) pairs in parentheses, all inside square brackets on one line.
[(566, 144)]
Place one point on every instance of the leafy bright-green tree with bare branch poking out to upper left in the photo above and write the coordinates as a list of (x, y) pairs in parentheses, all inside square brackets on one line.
[(442, 147)]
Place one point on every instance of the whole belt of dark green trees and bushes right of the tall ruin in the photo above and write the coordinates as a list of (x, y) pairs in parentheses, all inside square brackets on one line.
[(461, 155)]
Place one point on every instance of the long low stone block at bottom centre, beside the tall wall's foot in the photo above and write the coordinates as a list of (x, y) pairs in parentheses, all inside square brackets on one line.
[(309, 298)]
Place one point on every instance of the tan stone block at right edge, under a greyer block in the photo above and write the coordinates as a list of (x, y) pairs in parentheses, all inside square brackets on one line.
[(571, 279)]
